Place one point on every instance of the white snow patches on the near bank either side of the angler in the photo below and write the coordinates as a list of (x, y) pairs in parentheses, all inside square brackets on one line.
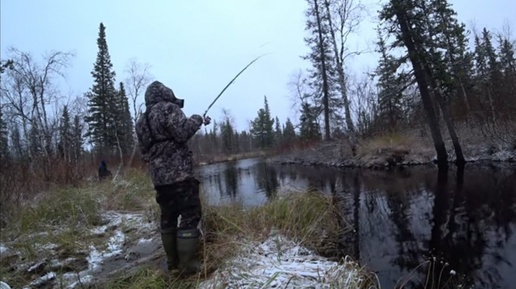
[(276, 262)]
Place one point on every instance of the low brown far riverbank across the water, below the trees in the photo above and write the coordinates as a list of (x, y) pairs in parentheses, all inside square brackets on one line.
[(396, 150)]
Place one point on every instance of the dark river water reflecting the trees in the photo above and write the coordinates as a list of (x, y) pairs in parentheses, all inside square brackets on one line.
[(403, 218)]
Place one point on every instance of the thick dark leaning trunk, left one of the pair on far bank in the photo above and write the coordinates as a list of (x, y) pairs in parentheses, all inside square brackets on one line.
[(442, 156)]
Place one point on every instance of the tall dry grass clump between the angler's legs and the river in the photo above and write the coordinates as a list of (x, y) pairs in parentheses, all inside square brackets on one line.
[(310, 218)]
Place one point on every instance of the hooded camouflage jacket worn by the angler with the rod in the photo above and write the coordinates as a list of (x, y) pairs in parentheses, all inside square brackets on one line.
[(163, 131)]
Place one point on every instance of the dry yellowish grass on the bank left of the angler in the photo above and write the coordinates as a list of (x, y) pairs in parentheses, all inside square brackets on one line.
[(62, 217)]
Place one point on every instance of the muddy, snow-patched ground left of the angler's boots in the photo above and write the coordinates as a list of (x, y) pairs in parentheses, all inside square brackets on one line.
[(126, 241)]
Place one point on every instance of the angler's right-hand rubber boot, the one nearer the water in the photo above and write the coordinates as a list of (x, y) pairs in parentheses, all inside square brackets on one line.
[(187, 246)]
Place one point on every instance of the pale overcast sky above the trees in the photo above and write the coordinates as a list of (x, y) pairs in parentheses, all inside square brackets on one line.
[(197, 46)]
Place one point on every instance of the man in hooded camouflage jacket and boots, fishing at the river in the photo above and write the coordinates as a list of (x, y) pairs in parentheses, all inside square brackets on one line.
[(163, 132)]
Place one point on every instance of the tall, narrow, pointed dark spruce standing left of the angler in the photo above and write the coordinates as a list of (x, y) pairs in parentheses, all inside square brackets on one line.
[(102, 99)]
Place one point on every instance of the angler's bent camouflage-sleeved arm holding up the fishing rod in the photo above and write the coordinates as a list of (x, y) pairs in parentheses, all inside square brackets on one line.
[(180, 127)]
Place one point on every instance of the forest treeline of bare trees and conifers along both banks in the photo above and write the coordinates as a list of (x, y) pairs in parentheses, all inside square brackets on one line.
[(433, 73)]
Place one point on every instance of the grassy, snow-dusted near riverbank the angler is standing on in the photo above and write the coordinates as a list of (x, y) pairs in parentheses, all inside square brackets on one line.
[(106, 235)]
